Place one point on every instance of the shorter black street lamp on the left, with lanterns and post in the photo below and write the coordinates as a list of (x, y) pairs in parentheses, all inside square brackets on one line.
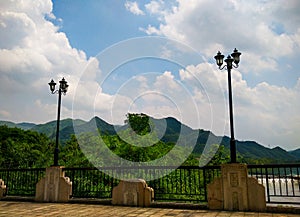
[(63, 87)]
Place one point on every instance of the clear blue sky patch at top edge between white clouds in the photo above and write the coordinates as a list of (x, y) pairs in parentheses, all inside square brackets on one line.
[(109, 20)]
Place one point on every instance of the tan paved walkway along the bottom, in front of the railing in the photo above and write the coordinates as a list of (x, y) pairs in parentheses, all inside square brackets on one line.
[(12, 208)]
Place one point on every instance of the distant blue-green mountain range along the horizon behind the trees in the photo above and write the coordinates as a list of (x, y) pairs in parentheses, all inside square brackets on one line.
[(168, 130)]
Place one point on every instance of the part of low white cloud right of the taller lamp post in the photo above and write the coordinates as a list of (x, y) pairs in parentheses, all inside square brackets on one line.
[(269, 113)]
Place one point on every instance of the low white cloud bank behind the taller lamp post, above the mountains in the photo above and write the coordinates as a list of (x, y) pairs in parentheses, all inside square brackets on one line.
[(265, 113)]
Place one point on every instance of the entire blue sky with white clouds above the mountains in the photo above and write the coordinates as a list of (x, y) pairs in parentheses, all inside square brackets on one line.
[(155, 57)]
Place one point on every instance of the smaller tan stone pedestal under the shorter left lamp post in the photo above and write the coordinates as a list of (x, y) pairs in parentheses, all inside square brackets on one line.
[(54, 187)]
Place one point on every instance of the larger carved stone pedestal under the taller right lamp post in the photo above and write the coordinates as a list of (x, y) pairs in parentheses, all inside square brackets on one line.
[(234, 190)]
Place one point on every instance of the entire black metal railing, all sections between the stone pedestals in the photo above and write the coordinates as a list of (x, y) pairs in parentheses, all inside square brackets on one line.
[(186, 183)]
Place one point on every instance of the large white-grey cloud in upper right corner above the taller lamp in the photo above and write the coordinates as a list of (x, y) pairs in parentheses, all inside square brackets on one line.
[(246, 25)]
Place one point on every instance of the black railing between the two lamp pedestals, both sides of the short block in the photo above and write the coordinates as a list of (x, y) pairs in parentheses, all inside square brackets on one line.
[(182, 184)]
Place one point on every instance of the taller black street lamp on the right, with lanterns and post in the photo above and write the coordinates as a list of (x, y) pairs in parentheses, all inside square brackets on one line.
[(233, 58)]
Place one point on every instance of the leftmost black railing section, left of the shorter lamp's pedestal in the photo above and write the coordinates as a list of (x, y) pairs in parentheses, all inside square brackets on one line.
[(21, 182)]
